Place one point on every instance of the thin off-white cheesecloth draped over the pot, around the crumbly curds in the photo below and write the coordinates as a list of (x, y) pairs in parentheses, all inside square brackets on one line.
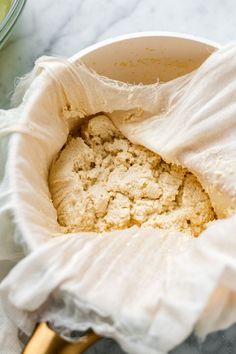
[(148, 289)]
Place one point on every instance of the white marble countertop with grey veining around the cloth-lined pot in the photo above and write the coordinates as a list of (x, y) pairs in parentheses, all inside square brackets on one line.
[(64, 27)]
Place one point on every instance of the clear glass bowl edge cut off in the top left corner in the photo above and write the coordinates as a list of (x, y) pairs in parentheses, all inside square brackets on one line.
[(9, 20)]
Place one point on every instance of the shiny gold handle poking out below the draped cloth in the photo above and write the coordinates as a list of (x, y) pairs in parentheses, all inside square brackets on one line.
[(45, 341)]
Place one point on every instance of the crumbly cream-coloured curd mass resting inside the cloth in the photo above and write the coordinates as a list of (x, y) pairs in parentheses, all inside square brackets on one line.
[(101, 181)]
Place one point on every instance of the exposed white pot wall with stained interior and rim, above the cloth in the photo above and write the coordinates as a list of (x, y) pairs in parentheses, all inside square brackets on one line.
[(147, 56)]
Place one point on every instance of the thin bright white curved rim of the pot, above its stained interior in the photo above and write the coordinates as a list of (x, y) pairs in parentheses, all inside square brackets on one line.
[(165, 34)]
